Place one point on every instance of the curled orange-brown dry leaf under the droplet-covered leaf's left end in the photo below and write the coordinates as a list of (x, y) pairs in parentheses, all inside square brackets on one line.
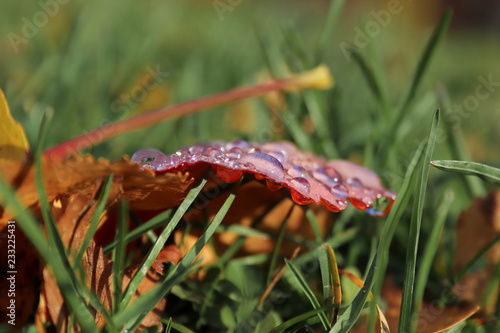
[(83, 174)]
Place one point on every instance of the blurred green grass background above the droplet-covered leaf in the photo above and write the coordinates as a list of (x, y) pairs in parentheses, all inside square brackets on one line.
[(85, 58)]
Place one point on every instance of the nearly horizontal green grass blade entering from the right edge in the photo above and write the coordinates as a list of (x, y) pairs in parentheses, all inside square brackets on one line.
[(482, 171)]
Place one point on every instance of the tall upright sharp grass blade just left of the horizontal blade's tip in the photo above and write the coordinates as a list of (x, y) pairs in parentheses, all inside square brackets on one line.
[(407, 311)]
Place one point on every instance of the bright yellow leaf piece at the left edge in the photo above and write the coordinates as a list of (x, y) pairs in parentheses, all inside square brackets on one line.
[(13, 141)]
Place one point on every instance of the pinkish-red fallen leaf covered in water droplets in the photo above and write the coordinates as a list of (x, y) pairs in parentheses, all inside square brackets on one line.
[(309, 178)]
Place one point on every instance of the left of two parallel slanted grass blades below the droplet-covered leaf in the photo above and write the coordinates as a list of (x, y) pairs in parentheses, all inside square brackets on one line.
[(160, 242)]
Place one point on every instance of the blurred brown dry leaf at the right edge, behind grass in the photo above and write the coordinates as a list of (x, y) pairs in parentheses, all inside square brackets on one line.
[(477, 226)]
